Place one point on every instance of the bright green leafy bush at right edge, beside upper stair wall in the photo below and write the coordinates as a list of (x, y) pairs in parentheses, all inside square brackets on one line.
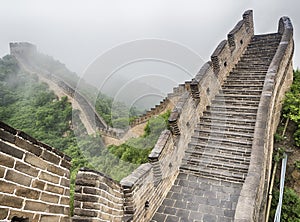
[(291, 108)]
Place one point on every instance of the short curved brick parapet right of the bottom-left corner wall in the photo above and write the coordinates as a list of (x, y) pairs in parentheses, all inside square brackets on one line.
[(97, 198)]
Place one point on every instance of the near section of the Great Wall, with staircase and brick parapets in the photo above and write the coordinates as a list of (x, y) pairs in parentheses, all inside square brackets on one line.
[(213, 165)]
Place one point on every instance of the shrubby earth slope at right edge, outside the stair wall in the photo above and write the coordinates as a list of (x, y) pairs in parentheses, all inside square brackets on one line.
[(291, 111)]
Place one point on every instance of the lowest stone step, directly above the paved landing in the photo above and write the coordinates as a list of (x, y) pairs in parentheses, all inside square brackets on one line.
[(214, 174)]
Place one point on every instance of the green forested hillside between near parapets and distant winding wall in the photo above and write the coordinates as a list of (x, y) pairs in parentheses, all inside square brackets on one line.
[(30, 106)]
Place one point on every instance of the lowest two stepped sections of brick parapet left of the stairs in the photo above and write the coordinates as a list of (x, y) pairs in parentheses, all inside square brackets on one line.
[(146, 187)]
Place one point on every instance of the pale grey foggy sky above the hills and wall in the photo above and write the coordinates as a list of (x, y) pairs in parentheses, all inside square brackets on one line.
[(82, 34)]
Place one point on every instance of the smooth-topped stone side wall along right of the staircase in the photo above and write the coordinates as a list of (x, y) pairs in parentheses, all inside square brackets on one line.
[(252, 202)]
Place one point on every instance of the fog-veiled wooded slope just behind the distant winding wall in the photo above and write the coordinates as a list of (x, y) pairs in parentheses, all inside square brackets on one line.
[(114, 113)]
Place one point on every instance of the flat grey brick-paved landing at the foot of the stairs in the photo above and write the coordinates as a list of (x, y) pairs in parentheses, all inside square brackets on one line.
[(194, 199)]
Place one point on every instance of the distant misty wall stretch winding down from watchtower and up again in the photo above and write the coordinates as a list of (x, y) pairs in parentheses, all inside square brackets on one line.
[(23, 51)]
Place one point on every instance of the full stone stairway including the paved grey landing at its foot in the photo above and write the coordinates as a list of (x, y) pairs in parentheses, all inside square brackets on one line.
[(218, 157)]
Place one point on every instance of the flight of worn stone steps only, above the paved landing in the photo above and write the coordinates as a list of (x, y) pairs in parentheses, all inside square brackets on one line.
[(221, 145)]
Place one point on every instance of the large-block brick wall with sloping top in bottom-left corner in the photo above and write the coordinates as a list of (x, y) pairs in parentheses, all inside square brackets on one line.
[(34, 178)]
